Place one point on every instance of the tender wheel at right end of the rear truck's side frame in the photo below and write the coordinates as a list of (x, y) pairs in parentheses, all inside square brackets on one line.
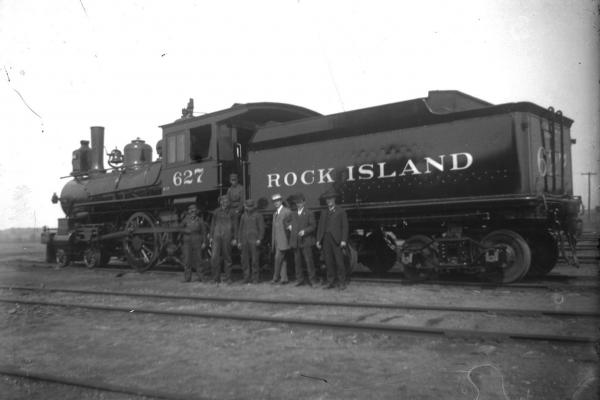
[(514, 256)]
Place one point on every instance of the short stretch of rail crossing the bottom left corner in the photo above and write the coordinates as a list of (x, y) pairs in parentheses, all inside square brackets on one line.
[(93, 384)]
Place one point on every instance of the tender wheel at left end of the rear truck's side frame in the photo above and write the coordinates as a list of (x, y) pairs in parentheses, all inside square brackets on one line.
[(424, 261)]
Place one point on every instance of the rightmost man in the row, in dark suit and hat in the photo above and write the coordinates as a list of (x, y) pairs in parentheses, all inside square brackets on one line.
[(332, 236)]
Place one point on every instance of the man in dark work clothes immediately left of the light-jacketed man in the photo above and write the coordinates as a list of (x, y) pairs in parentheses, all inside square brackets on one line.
[(249, 235)]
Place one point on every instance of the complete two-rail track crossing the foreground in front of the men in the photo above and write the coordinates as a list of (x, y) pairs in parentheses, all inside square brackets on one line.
[(387, 327)]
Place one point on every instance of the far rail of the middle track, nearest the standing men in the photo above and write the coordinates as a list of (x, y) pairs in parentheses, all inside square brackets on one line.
[(396, 306)]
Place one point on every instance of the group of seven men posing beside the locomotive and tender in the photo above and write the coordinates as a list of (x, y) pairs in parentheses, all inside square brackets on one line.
[(238, 223)]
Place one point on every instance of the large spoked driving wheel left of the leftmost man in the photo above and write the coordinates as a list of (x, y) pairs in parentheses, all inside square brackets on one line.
[(142, 245)]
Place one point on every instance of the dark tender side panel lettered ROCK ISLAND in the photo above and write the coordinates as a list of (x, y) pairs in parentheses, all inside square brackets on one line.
[(474, 157)]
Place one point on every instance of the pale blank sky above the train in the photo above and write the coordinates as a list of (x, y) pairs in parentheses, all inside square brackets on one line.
[(132, 65)]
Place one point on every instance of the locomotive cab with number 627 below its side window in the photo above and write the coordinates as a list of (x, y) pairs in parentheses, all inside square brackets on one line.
[(201, 152)]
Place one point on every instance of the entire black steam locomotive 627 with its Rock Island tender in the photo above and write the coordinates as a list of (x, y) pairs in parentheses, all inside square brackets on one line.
[(446, 183)]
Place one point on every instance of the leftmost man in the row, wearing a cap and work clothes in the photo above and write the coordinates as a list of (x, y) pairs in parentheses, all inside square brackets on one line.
[(194, 241)]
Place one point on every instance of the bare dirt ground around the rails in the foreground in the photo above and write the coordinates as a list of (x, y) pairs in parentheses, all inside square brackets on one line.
[(224, 359)]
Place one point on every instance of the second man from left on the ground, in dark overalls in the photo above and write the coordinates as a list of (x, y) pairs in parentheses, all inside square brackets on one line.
[(223, 229)]
